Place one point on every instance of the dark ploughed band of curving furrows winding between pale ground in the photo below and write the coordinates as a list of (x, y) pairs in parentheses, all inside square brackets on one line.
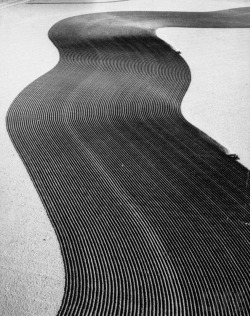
[(150, 213)]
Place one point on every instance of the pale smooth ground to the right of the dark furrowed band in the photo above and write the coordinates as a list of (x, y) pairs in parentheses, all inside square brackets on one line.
[(218, 99)]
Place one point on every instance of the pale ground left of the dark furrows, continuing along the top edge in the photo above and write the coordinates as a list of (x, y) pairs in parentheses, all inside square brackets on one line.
[(32, 275)]
